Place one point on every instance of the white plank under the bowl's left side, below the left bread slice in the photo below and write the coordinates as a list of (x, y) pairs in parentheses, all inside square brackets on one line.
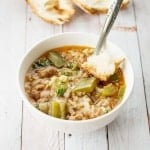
[(36, 136)]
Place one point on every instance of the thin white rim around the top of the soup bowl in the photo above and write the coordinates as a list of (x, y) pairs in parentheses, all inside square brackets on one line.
[(25, 98)]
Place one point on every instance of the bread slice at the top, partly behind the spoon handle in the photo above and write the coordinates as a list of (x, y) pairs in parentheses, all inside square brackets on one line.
[(97, 6)]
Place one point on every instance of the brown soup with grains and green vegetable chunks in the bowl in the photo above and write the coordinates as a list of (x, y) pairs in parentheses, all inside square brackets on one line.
[(57, 85)]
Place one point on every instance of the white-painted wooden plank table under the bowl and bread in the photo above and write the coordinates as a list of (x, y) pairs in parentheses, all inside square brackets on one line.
[(19, 29)]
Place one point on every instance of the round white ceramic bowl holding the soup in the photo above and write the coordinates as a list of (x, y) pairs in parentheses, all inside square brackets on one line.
[(68, 125)]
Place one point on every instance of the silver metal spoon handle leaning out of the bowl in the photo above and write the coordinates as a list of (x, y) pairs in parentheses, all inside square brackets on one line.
[(110, 19)]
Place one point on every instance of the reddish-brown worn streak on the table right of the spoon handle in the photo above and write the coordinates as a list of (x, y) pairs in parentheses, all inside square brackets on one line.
[(125, 28)]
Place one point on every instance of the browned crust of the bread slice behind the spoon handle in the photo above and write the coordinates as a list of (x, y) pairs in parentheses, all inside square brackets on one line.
[(91, 10)]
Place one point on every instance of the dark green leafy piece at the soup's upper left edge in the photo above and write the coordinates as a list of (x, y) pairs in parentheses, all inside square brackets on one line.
[(42, 62)]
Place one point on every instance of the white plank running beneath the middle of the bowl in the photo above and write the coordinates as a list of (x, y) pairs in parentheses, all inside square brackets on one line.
[(98, 139)]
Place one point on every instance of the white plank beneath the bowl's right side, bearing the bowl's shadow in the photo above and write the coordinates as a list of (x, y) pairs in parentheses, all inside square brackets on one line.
[(130, 130)]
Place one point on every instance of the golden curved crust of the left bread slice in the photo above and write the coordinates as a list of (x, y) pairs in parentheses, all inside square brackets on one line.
[(48, 20)]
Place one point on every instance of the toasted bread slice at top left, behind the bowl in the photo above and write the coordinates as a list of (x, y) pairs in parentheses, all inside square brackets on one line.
[(53, 11)]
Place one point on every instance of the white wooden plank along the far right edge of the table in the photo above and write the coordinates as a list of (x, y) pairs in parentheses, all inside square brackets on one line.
[(142, 13)]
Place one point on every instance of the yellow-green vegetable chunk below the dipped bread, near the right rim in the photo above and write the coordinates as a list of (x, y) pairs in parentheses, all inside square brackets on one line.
[(109, 90)]
